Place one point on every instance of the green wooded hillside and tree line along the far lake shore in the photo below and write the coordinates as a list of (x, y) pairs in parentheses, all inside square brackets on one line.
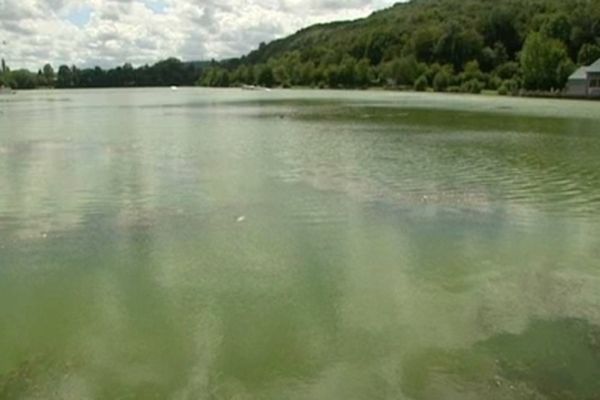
[(507, 46)]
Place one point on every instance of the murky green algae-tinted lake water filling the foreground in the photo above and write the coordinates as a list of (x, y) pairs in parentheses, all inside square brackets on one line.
[(223, 244)]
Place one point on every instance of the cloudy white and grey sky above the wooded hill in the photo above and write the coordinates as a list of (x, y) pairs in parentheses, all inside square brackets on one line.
[(112, 32)]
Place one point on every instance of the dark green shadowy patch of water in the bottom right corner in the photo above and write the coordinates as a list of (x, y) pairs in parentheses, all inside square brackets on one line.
[(555, 359)]
